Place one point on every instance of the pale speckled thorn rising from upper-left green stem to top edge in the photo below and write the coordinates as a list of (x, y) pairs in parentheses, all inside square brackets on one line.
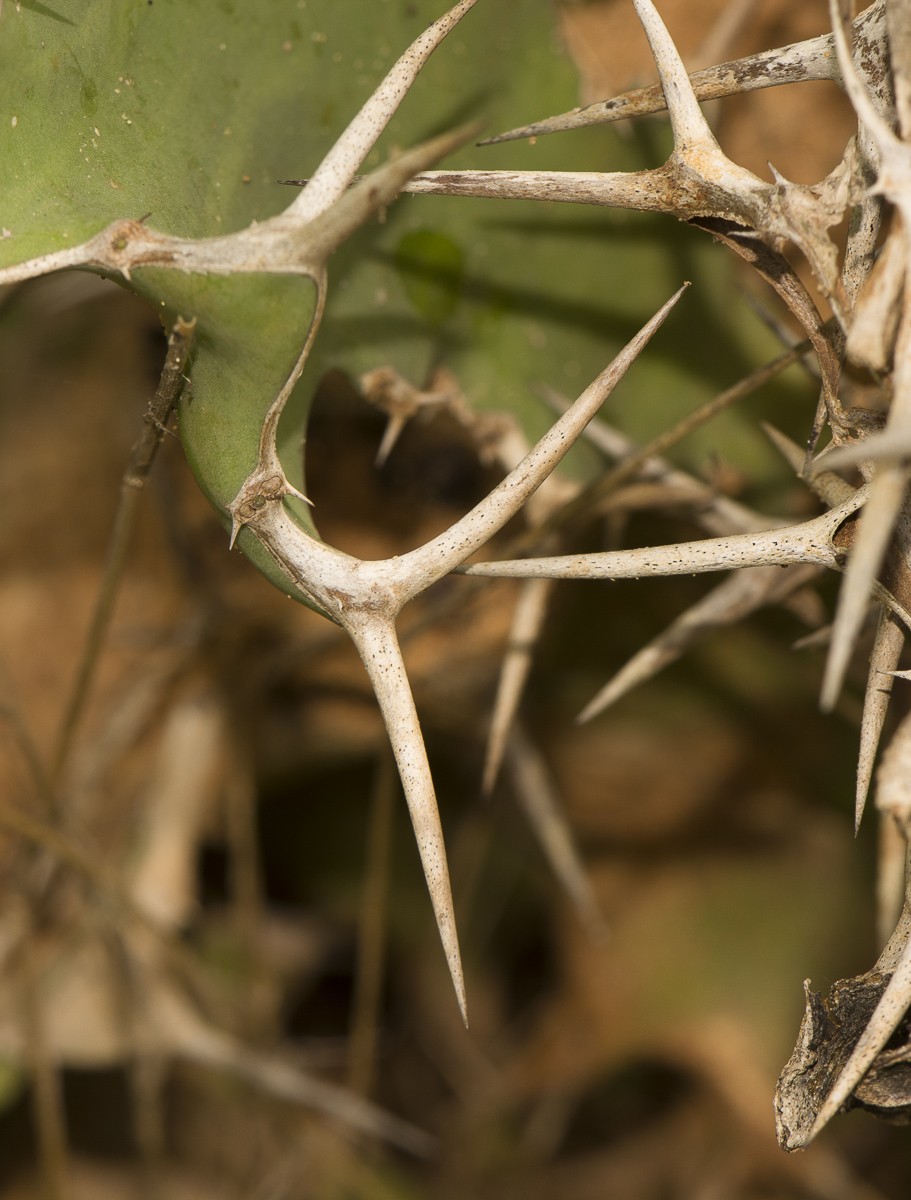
[(338, 170)]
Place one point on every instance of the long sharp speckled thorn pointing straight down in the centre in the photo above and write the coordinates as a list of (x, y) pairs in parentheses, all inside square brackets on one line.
[(379, 647)]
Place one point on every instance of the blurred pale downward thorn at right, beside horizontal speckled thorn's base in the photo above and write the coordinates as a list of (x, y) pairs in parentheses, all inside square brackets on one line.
[(874, 531)]
